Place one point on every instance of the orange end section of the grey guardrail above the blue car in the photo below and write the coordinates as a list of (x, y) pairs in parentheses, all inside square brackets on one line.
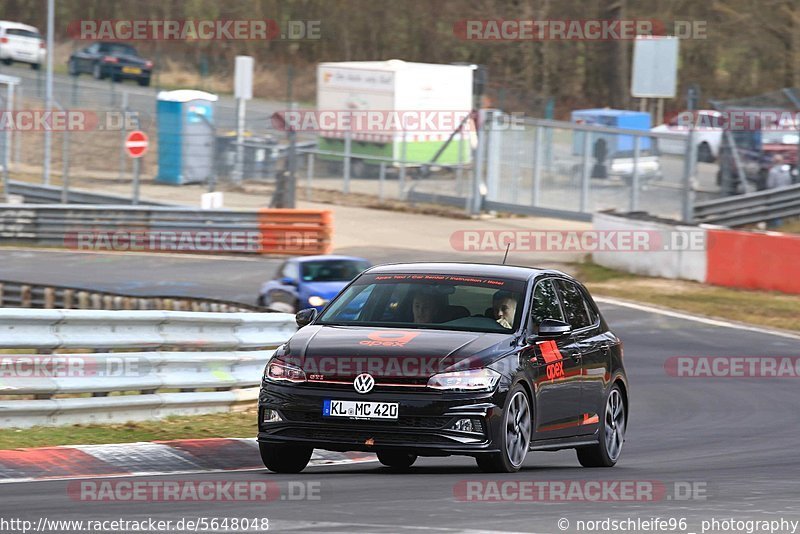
[(295, 232)]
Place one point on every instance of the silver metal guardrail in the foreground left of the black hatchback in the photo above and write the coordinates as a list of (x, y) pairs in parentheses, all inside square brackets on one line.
[(182, 363)]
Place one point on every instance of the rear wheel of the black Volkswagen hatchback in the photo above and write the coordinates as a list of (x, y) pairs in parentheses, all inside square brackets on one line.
[(613, 424)]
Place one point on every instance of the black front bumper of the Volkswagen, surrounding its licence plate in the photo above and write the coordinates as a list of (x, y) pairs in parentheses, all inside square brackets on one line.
[(422, 426)]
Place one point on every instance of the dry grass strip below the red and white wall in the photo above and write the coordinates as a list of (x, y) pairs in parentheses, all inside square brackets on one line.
[(765, 308)]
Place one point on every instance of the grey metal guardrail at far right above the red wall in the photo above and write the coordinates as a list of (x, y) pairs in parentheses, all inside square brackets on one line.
[(750, 208)]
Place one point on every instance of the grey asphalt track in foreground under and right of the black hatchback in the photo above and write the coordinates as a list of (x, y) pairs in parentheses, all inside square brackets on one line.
[(733, 440)]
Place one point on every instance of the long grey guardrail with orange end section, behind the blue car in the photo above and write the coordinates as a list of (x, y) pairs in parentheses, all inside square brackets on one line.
[(167, 229)]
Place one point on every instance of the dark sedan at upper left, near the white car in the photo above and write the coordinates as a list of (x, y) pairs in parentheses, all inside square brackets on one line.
[(116, 60)]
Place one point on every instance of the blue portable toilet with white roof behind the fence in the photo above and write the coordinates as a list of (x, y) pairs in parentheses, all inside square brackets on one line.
[(185, 136)]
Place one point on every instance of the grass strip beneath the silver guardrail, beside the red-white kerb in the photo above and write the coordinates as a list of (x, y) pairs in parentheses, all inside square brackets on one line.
[(219, 425)]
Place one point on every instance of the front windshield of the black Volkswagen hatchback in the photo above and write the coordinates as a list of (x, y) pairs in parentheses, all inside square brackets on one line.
[(441, 301)]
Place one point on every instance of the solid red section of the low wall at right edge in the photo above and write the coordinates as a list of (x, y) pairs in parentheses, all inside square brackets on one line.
[(753, 260)]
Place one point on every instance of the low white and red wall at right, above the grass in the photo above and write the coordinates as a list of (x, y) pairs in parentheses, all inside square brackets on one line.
[(732, 258)]
